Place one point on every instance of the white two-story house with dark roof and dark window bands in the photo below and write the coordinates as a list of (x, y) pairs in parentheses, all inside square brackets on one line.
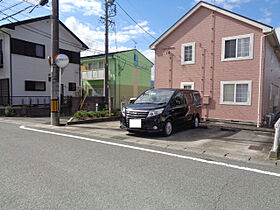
[(24, 68)]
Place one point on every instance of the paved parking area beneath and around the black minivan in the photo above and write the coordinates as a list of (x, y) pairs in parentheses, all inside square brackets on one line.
[(229, 143)]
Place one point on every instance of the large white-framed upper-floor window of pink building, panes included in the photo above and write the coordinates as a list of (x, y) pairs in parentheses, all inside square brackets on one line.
[(237, 47)]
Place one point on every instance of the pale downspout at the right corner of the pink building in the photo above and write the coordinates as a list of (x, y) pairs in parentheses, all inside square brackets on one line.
[(260, 77)]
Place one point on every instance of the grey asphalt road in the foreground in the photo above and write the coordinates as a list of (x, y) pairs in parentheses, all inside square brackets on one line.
[(45, 171)]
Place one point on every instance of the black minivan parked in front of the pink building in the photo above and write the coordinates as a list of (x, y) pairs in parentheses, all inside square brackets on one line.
[(159, 110)]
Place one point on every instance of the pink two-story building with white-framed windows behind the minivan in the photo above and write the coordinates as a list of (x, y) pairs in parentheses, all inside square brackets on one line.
[(232, 60)]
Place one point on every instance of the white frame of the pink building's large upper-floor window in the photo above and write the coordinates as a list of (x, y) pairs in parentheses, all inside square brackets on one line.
[(251, 47)]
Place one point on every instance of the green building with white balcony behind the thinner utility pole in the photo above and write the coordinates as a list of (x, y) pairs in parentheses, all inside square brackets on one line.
[(130, 75)]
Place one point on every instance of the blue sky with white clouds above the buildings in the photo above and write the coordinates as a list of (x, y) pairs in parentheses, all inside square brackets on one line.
[(155, 16)]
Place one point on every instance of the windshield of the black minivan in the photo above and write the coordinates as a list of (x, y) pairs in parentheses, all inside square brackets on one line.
[(155, 96)]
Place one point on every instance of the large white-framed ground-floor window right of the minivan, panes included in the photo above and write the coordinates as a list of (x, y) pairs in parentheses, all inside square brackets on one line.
[(236, 92)]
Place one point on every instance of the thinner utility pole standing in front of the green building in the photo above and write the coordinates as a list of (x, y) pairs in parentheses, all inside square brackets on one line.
[(110, 11)]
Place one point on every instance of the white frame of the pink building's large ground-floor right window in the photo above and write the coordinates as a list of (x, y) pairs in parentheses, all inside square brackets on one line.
[(249, 97)]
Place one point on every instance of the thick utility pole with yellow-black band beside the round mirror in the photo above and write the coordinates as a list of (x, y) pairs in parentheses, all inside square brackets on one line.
[(54, 67)]
